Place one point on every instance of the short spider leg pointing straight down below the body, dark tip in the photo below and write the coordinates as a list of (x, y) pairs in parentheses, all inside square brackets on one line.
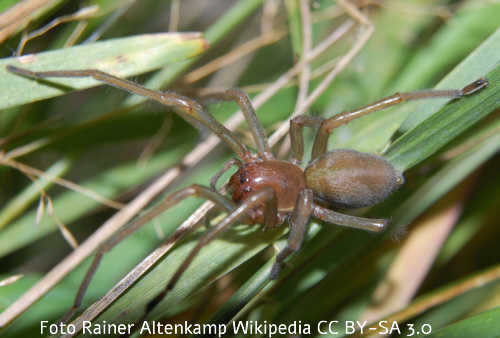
[(298, 226)]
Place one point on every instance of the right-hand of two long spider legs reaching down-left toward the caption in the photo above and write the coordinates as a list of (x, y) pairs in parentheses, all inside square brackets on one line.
[(265, 197)]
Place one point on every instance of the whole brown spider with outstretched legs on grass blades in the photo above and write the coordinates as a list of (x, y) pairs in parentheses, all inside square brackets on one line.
[(265, 190)]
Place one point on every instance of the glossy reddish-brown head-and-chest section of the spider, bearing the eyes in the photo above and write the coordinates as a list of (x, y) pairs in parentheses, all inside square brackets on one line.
[(286, 179)]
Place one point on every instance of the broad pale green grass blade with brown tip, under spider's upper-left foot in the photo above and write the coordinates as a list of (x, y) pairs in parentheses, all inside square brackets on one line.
[(123, 57)]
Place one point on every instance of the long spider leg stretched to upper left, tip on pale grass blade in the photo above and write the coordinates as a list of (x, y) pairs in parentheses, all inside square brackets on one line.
[(185, 107)]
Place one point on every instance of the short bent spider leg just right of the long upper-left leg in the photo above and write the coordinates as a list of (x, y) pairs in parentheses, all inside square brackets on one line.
[(258, 133)]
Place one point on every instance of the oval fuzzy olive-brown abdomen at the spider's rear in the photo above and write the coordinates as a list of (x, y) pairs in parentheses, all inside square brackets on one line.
[(352, 179)]
